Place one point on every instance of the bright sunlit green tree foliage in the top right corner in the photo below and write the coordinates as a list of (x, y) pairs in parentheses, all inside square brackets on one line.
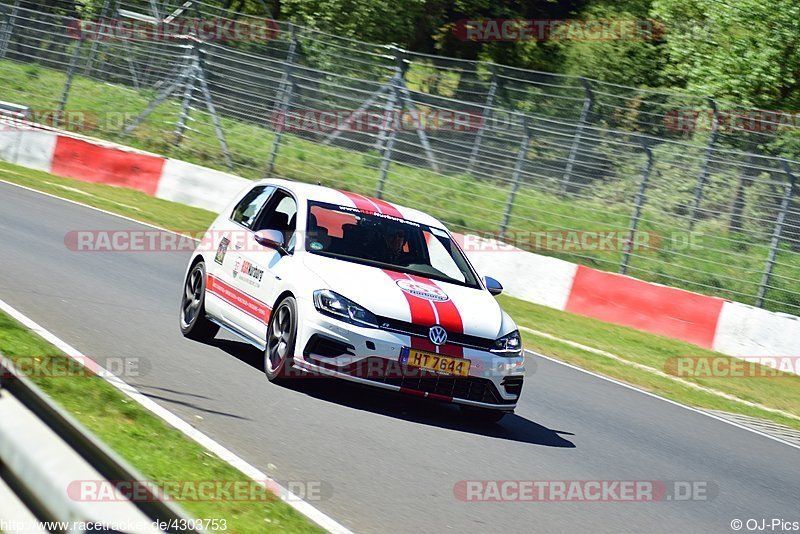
[(742, 50)]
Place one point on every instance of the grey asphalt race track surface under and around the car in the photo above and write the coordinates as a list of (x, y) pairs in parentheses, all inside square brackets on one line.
[(387, 463)]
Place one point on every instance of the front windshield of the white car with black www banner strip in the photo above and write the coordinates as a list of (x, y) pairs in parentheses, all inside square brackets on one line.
[(386, 242)]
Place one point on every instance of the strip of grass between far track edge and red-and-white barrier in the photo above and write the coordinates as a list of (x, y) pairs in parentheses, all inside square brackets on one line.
[(781, 393)]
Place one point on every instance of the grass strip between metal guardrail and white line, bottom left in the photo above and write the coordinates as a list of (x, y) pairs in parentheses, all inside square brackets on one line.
[(158, 451)]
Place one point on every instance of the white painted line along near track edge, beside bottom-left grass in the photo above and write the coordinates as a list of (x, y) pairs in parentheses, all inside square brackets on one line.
[(185, 428)]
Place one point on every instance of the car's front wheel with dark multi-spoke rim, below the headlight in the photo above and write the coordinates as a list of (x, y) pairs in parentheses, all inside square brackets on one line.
[(281, 339)]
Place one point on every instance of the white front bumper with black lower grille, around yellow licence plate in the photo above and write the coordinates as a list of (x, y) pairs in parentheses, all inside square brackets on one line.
[(371, 356)]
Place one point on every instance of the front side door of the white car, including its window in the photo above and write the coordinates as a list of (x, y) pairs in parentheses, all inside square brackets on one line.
[(255, 268)]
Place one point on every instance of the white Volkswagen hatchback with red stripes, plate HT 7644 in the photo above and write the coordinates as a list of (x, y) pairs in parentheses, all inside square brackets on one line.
[(332, 283)]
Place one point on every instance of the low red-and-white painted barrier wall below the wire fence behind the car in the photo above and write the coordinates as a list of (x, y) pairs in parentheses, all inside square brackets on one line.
[(728, 327)]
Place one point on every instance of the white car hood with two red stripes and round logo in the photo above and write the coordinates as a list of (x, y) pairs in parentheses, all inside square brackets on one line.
[(418, 300)]
